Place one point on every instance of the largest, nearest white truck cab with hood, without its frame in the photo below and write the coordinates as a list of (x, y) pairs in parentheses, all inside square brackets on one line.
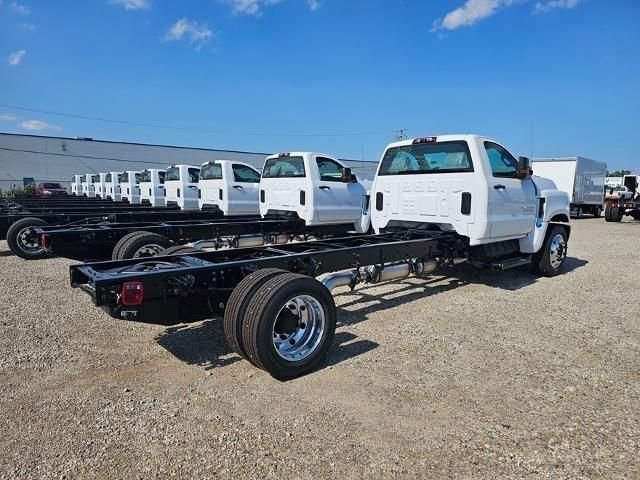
[(468, 184)]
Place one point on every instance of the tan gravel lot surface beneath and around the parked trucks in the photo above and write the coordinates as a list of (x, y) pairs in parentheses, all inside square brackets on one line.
[(474, 375)]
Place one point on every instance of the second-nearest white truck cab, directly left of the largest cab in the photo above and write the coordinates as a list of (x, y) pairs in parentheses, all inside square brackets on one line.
[(315, 187)]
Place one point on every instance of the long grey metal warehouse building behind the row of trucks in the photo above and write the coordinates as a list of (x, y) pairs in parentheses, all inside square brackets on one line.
[(27, 157)]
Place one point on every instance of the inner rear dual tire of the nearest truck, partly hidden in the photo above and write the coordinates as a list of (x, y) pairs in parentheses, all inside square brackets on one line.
[(235, 312)]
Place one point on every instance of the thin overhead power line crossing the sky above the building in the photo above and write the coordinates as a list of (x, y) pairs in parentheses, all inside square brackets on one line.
[(187, 129)]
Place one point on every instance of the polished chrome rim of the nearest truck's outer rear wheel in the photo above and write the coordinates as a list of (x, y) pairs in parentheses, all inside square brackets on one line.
[(298, 328)]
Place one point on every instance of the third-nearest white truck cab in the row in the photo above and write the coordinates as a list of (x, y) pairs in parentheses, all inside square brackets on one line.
[(229, 186)]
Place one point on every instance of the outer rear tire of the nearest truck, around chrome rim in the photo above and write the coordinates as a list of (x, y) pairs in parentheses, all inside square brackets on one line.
[(263, 316)]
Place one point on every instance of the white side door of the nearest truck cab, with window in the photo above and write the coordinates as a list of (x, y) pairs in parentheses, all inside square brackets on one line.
[(512, 202)]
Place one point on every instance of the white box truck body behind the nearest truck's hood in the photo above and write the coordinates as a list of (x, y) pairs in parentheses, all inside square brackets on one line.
[(582, 178)]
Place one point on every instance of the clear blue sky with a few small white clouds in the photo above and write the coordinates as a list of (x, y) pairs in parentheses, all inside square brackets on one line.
[(337, 76)]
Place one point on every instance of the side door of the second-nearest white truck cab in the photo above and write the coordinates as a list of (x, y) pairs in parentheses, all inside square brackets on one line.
[(334, 200)]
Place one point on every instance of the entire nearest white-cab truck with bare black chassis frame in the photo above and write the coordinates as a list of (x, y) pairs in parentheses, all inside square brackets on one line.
[(438, 201)]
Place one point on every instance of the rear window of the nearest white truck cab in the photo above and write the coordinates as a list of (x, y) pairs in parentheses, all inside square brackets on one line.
[(437, 157)]
